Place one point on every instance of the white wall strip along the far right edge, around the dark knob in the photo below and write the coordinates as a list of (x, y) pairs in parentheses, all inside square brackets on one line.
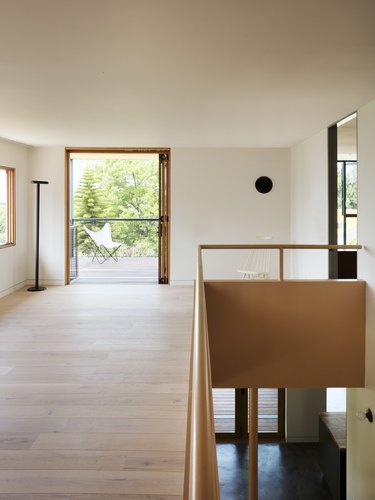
[(361, 435)]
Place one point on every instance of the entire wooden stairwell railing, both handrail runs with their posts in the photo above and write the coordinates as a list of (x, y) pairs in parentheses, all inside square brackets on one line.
[(201, 469)]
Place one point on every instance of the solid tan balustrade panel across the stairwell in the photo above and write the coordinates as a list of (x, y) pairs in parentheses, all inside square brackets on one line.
[(286, 333)]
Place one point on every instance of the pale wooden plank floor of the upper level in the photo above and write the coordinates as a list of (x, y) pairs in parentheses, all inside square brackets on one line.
[(93, 392)]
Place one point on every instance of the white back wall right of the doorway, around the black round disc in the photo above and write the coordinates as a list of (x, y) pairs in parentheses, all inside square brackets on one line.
[(214, 201)]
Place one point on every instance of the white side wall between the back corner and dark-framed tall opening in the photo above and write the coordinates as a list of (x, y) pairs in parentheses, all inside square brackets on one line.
[(309, 205)]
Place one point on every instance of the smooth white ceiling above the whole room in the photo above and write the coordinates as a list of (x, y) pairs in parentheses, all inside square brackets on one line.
[(160, 73)]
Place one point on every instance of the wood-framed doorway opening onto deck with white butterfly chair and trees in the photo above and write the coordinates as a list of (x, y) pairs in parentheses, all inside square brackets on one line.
[(117, 215)]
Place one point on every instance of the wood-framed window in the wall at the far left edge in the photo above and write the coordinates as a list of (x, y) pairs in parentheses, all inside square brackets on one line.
[(7, 219)]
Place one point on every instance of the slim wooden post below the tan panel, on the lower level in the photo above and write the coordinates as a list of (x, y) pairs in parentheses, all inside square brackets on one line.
[(253, 444)]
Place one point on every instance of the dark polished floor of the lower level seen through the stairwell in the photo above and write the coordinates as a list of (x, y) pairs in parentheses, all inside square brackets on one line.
[(286, 472)]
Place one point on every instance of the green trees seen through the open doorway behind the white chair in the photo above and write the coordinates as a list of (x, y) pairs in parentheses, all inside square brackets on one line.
[(118, 189)]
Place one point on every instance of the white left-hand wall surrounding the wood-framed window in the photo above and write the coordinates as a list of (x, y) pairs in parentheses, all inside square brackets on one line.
[(14, 260)]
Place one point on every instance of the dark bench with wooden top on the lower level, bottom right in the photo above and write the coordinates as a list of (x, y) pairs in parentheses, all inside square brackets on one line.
[(332, 451)]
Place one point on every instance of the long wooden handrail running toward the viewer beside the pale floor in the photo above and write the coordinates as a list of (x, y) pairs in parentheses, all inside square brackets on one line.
[(201, 472)]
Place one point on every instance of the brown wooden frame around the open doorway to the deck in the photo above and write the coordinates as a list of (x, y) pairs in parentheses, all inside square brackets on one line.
[(159, 151)]
